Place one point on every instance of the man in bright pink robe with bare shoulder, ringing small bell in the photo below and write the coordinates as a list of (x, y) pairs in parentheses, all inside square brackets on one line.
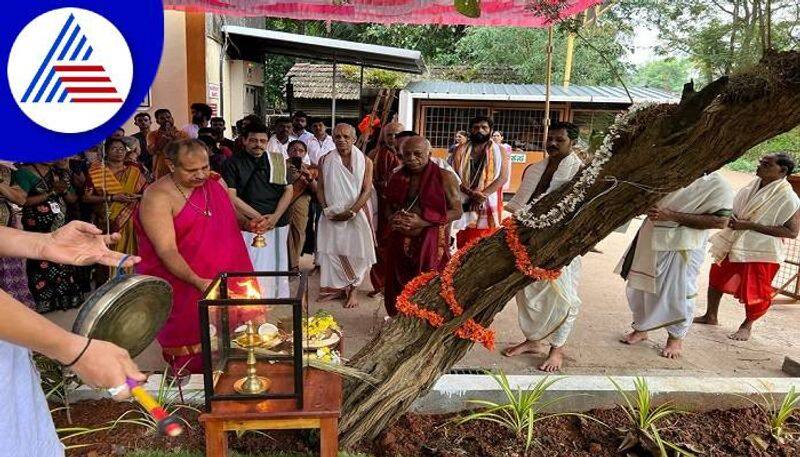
[(203, 240)]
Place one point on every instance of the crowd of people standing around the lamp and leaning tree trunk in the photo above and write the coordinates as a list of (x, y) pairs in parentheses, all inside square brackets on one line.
[(191, 203)]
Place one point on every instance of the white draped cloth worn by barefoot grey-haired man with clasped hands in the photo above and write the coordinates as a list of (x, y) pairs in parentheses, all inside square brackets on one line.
[(346, 249)]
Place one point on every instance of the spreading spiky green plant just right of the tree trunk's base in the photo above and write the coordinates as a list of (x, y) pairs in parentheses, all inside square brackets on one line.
[(522, 410)]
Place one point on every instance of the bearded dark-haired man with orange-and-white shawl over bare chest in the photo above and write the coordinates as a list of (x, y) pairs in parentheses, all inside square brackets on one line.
[(482, 170)]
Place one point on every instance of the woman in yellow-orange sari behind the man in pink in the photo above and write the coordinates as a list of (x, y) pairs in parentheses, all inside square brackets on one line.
[(116, 189)]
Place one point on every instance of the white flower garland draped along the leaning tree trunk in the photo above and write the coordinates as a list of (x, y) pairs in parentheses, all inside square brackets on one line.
[(588, 177)]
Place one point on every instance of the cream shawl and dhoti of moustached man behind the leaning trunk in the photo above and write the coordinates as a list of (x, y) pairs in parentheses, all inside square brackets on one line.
[(549, 308)]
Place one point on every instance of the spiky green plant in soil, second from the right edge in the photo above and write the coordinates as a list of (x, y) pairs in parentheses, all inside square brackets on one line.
[(645, 420)]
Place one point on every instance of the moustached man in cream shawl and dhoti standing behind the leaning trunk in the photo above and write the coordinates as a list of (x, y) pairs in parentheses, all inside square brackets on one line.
[(549, 308)]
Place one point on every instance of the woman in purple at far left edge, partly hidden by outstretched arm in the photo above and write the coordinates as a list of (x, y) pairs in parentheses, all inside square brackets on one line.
[(12, 270)]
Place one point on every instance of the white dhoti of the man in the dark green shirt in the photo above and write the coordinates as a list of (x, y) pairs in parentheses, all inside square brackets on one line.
[(272, 257)]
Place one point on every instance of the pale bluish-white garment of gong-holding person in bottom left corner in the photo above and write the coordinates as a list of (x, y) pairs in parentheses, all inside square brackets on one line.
[(25, 420)]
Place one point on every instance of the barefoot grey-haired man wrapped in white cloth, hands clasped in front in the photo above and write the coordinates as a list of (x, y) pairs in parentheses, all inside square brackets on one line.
[(345, 241)]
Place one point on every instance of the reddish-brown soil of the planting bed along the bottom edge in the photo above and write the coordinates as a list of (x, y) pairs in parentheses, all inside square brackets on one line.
[(740, 432)]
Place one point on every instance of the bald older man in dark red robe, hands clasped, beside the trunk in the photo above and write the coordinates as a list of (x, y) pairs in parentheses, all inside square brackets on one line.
[(421, 201)]
